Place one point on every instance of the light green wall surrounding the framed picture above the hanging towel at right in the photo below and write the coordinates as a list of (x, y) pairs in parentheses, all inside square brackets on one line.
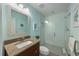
[(73, 31)]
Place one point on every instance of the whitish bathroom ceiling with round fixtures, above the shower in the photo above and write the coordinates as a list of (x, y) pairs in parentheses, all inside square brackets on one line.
[(48, 8)]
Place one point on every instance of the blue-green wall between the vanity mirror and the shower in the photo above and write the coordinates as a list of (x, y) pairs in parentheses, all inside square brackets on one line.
[(36, 18)]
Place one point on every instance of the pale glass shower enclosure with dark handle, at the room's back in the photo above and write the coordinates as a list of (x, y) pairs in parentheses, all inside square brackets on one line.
[(55, 30)]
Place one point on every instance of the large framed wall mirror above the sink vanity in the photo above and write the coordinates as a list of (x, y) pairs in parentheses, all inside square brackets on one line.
[(18, 23)]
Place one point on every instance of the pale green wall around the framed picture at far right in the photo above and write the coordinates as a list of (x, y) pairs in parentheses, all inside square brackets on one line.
[(74, 31)]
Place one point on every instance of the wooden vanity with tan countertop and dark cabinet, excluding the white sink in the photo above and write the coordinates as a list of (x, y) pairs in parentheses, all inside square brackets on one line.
[(11, 50)]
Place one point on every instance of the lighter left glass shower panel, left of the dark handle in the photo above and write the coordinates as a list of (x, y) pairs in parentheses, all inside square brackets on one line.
[(50, 31)]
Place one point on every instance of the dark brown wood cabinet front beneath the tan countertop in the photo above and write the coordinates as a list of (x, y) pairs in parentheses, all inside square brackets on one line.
[(31, 51)]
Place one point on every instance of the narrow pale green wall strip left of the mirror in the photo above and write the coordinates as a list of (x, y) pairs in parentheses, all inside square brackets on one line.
[(4, 24)]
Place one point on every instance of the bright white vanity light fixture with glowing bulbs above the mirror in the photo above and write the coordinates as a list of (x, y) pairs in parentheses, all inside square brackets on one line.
[(20, 8)]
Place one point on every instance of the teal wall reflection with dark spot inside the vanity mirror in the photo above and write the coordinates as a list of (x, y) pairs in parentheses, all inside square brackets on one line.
[(21, 21)]
